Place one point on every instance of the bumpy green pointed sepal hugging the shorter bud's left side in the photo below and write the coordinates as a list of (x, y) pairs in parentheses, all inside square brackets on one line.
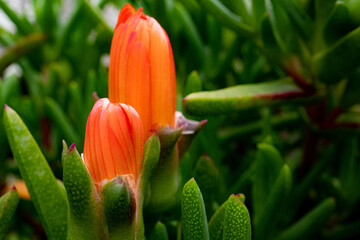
[(84, 218)]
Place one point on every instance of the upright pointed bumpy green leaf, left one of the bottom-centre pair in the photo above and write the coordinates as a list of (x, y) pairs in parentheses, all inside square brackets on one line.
[(193, 215)]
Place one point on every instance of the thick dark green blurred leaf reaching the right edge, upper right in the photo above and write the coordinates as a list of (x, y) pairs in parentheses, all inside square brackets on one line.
[(336, 62)]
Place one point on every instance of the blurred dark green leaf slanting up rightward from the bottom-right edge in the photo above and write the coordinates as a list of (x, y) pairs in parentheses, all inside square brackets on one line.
[(310, 223)]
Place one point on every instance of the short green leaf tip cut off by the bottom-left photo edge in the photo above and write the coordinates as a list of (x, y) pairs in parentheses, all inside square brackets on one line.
[(8, 204)]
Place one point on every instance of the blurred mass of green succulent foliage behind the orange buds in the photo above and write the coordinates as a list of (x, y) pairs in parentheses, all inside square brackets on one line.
[(284, 129)]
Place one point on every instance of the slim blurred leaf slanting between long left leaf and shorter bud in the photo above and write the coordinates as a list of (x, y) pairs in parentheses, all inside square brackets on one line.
[(57, 115)]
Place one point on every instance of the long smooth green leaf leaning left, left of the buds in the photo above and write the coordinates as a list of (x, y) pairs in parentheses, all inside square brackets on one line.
[(46, 194)]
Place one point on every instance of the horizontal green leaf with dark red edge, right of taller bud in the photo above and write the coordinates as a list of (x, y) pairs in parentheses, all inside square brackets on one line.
[(243, 97)]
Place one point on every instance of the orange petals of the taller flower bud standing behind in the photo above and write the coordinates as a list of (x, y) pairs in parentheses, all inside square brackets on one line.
[(142, 71)]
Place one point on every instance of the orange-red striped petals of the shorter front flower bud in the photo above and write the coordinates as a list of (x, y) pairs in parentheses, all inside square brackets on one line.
[(114, 141)]
